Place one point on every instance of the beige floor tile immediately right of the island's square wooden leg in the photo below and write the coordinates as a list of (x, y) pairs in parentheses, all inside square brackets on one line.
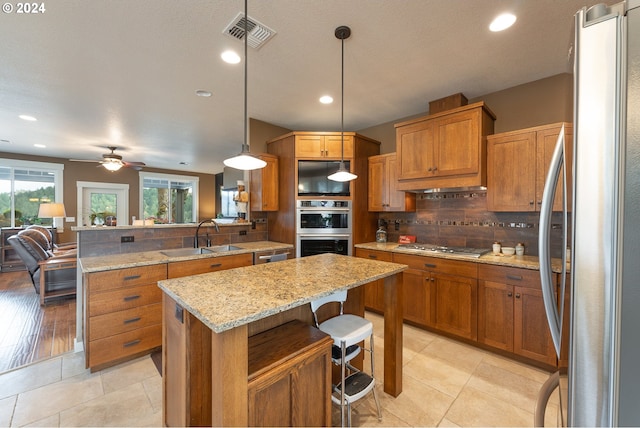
[(445, 376)]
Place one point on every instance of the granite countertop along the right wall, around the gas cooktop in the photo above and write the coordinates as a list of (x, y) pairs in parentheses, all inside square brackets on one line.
[(523, 262)]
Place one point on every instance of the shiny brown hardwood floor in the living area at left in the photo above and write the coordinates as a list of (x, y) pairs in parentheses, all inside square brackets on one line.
[(31, 332)]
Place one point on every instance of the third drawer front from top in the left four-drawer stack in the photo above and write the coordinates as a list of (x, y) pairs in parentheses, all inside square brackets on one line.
[(106, 325)]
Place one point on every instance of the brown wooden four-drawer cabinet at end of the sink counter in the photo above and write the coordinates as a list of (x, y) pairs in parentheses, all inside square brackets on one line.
[(123, 314)]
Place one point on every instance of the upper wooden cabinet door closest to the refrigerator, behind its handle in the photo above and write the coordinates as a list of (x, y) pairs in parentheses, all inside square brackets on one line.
[(546, 142)]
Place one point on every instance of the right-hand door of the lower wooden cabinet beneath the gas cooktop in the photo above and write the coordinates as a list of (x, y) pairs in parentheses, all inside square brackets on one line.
[(456, 305)]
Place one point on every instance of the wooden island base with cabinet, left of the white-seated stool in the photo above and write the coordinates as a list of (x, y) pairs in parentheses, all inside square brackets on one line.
[(288, 374)]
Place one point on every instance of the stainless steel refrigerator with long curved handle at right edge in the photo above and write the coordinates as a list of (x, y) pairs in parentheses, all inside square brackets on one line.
[(603, 383)]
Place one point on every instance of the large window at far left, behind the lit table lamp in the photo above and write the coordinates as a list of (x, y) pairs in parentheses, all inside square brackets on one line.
[(23, 186)]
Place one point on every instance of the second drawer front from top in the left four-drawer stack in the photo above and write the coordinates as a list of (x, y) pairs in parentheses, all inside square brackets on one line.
[(123, 298)]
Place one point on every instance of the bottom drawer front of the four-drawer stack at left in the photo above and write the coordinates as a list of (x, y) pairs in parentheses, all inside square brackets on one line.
[(123, 345)]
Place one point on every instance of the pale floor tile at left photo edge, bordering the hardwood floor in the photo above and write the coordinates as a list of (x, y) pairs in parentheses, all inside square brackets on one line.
[(30, 377)]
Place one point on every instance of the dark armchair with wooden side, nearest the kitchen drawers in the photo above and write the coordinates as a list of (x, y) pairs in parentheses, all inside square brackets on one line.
[(52, 276)]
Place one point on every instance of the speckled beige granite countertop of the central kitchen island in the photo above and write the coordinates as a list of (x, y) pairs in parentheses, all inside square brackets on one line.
[(226, 299)]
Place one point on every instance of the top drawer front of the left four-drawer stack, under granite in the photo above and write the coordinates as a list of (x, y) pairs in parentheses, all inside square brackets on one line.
[(113, 279)]
